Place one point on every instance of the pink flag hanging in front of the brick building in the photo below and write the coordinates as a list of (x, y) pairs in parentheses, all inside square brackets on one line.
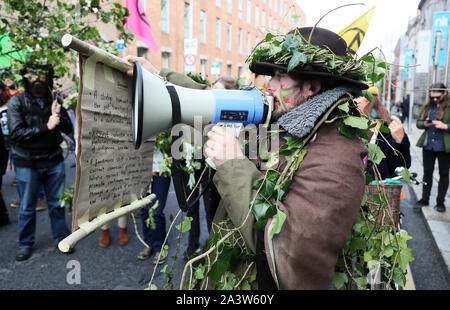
[(138, 23)]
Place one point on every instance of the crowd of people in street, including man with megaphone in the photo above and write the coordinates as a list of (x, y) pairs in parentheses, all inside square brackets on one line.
[(317, 221)]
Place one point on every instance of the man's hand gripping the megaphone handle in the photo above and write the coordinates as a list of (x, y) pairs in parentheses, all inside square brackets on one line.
[(222, 146)]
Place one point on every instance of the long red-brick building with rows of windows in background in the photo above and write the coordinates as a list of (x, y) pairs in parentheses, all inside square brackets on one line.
[(226, 31)]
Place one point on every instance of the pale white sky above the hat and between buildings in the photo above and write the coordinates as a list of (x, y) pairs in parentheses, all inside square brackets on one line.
[(389, 21)]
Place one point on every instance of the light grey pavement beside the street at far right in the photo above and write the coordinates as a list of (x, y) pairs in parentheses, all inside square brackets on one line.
[(438, 223)]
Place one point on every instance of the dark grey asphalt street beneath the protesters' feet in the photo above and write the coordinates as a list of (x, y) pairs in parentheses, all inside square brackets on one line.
[(117, 268)]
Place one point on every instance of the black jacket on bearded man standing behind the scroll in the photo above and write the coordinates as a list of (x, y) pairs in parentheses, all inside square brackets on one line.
[(32, 144)]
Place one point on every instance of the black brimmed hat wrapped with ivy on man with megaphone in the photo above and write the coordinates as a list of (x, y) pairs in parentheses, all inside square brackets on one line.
[(322, 38)]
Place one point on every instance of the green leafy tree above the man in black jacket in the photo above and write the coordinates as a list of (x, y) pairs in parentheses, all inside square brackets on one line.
[(35, 29)]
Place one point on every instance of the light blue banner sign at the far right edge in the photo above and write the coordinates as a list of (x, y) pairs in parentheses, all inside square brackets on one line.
[(440, 30)]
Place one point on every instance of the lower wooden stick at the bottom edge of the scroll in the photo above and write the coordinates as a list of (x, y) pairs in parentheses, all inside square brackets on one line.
[(87, 228)]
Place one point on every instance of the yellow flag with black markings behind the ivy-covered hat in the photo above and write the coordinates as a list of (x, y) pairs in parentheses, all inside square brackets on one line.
[(354, 33)]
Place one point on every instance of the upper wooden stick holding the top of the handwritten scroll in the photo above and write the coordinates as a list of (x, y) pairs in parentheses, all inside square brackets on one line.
[(90, 50)]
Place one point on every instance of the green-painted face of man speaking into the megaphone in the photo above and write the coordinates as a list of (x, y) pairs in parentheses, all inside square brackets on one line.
[(287, 93)]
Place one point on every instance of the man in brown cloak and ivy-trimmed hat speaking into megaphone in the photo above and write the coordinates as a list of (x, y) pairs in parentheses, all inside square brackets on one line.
[(325, 196)]
